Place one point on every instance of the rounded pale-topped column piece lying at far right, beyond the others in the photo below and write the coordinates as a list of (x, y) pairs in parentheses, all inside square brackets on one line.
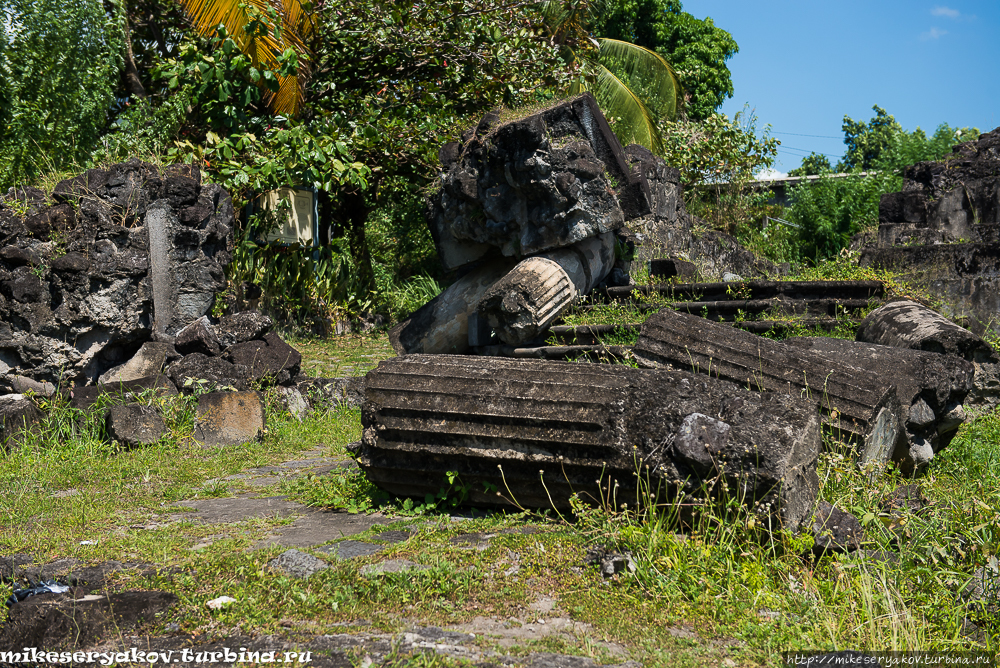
[(907, 324)]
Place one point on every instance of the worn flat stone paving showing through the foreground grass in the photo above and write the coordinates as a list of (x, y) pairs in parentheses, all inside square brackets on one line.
[(313, 538)]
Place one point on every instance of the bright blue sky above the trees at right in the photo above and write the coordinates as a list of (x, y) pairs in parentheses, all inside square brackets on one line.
[(804, 64)]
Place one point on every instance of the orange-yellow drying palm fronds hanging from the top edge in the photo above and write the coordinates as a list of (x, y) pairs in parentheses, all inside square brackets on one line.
[(268, 32)]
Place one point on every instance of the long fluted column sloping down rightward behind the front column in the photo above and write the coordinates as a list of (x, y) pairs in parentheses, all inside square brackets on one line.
[(859, 406)]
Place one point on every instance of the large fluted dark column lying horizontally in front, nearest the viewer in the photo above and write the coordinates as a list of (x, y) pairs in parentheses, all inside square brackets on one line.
[(533, 433)]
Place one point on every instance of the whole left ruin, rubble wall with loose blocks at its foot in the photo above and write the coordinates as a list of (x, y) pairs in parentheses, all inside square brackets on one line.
[(106, 288)]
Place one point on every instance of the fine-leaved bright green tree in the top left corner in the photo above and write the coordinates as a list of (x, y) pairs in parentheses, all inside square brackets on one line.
[(59, 65)]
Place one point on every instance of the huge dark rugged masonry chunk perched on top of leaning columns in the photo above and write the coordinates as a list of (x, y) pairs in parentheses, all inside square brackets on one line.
[(545, 181)]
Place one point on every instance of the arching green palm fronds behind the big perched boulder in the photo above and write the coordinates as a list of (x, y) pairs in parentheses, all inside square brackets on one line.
[(633, 85)]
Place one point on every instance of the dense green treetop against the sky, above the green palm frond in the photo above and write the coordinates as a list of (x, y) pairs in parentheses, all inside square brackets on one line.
[(696, 48)]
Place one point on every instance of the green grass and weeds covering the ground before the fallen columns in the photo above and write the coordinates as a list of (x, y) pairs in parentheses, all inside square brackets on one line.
[(722, 590)]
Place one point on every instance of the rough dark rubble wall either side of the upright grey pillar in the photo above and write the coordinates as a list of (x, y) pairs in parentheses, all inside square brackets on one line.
[(91, 303)]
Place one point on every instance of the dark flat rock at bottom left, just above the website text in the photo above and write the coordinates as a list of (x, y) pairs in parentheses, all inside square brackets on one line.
[(75, 619)]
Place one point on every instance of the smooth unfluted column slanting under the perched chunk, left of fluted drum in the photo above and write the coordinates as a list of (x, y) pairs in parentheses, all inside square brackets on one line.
[(442, 324)]
